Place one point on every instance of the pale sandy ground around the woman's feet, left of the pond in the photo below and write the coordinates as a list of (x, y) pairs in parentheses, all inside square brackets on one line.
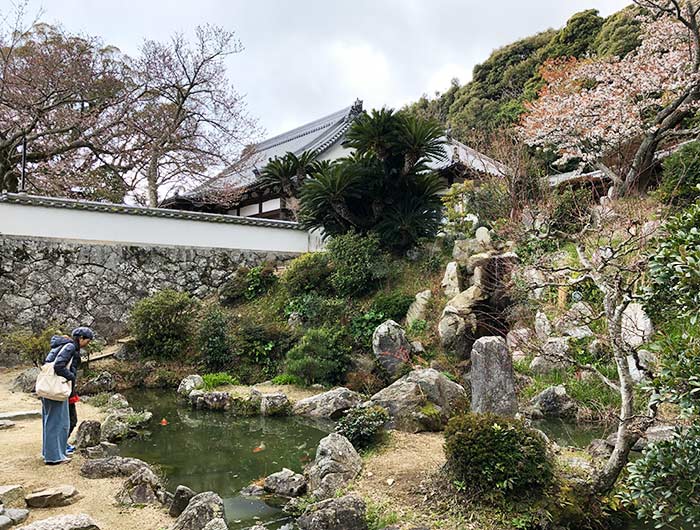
[(21, 463)]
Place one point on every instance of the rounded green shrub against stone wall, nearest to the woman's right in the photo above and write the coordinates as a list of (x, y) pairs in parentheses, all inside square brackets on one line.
[(162, 322)]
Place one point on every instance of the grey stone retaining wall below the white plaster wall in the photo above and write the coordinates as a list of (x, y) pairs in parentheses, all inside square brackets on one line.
[(74, 283)]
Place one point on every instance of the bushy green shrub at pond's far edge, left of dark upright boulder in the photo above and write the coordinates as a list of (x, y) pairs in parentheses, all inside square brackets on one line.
[(321, 356)]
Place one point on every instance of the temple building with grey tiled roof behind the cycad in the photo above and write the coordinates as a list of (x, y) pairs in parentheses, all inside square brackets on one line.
[(324, 137)]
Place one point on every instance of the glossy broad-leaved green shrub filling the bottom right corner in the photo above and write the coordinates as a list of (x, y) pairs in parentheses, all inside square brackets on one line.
[(663, 484)]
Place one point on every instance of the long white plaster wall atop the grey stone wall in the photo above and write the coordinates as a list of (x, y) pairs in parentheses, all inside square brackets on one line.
[(72, 224)]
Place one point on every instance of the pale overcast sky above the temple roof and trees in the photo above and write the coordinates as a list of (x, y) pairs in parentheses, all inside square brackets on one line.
[(307, 58)]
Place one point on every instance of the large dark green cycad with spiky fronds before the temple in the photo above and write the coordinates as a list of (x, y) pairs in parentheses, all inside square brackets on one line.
[(386, 186)]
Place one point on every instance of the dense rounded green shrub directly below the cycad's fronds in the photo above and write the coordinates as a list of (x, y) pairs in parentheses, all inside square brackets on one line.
[(358, 263)]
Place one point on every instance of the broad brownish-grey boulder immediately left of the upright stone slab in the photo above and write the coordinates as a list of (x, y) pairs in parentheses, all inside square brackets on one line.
[(423, 400)]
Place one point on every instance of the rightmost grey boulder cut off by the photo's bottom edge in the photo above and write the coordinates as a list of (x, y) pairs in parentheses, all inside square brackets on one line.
[(343, 513)]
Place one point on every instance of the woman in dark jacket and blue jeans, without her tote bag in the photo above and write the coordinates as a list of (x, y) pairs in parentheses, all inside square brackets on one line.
[(65, 354)]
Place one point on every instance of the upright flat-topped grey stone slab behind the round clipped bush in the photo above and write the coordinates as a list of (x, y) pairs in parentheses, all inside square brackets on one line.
[(492, 379)]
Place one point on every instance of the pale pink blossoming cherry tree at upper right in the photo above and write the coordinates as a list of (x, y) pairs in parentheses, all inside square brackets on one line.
[(615, 113)]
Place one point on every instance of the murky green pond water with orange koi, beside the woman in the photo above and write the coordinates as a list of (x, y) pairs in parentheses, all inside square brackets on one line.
[(211, 451)]
